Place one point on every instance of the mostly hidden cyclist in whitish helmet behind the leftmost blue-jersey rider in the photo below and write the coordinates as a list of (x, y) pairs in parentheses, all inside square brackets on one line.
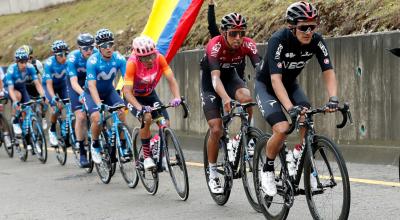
[(30, 86)]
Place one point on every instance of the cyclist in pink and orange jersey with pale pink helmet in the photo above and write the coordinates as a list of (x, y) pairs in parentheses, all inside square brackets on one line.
[(145, 68)]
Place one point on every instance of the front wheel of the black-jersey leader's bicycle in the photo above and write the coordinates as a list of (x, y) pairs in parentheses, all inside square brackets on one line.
[(331, 199)]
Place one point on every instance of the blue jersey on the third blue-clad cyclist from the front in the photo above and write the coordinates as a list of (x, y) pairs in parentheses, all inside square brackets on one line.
[(55, 71)]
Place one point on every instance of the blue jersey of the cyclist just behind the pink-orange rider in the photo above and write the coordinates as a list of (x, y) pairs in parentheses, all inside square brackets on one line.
[(104, 71)]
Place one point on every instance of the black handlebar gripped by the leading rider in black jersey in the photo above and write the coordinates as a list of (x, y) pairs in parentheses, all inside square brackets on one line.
[(345, 110)]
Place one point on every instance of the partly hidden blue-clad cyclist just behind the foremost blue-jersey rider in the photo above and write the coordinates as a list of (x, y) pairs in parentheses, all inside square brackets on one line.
[(76, 67)]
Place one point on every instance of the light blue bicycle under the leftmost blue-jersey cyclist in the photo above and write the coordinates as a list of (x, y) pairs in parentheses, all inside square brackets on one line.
[(32, 133)]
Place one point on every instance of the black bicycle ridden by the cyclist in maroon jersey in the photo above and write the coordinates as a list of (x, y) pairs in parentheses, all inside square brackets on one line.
[(234, 167)]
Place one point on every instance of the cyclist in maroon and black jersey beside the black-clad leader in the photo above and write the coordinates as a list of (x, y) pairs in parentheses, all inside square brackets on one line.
[(220, 81)]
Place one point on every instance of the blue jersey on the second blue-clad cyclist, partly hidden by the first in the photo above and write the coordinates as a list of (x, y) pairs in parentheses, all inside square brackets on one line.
[(76, 65)]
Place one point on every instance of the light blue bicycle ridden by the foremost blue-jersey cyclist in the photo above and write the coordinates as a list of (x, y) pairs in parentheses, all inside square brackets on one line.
[(110, 143)]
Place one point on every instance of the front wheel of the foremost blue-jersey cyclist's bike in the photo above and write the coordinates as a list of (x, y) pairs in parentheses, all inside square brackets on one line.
[(127, 168)]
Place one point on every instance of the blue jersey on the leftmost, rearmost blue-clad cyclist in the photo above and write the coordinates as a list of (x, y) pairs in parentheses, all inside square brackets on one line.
[(14, 77)]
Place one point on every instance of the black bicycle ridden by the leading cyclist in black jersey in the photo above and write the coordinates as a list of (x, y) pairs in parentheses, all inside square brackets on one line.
[(318, 159)]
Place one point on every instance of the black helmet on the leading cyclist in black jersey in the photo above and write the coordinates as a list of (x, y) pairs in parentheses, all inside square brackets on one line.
[(301, 11)]
